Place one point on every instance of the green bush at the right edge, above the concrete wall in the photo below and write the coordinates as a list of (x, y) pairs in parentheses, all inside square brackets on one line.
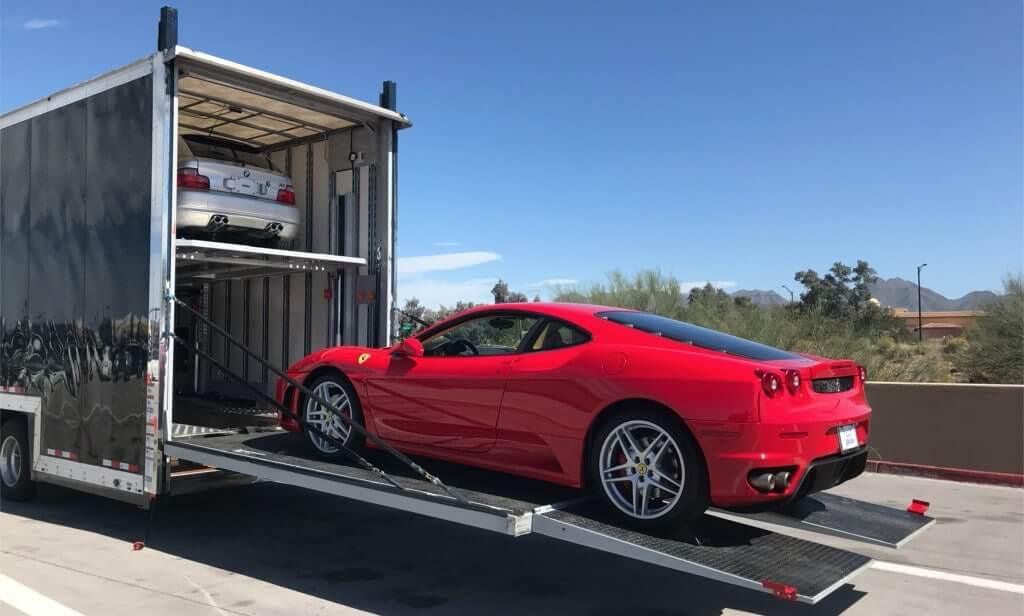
[(996, 344)]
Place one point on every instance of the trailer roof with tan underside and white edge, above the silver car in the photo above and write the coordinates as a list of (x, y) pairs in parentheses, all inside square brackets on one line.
[(222, 98)]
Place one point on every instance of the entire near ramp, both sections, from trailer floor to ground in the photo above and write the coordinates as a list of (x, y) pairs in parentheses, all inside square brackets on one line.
[(721, 550)]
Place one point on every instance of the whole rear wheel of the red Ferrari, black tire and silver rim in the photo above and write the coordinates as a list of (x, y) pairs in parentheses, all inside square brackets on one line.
[(649, 470)]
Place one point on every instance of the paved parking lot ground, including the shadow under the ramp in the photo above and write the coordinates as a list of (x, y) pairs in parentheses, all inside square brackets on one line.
[(271, 549)]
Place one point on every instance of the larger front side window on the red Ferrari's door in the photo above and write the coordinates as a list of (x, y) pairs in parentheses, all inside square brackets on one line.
[(491, 335)]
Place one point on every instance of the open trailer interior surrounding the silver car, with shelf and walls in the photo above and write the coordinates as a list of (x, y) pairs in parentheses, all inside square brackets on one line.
[(327, 287)]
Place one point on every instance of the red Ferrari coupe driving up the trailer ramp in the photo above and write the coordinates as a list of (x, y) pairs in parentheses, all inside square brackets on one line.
[(660, 418)]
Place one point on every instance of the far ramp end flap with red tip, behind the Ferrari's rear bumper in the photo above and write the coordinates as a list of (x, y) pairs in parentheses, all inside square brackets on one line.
[(845, 518)]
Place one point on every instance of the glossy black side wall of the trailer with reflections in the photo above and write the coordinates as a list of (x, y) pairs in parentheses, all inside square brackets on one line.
[(75, 197)]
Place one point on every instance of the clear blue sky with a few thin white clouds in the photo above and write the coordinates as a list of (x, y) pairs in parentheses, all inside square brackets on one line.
[(729, 142)]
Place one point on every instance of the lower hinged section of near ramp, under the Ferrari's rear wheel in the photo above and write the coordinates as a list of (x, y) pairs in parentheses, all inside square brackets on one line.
[(713, 548)]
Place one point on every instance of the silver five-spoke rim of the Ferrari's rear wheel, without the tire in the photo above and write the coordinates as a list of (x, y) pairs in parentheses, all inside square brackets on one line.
[(643, 470)]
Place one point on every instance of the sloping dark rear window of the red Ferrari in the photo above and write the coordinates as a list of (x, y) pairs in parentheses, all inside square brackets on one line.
[(697, 336)]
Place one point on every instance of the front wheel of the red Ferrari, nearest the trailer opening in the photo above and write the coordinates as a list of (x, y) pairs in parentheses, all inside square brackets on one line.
[(336, 390)]
